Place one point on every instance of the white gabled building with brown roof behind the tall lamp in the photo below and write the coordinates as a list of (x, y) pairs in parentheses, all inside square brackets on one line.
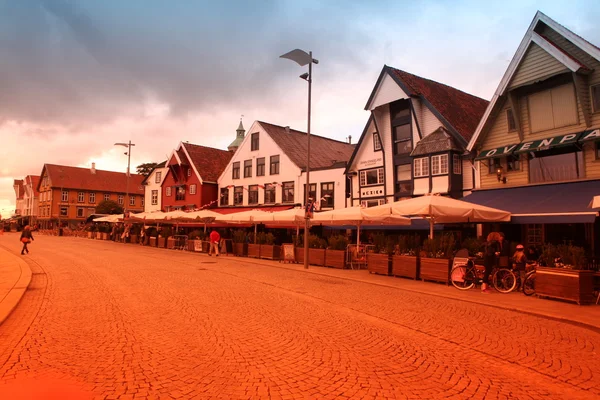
[(268, 169)]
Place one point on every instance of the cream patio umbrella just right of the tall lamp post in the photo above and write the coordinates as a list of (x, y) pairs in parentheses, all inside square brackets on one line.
[(359, 217)]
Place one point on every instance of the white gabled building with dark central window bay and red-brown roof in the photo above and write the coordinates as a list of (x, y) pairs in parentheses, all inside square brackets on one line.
[(414, 141)]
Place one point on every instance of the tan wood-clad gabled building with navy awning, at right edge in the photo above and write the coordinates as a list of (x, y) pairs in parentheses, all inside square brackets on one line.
[(538, 145)]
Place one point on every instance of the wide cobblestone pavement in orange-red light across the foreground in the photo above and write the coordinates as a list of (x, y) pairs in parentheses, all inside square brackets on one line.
[(122, 321)]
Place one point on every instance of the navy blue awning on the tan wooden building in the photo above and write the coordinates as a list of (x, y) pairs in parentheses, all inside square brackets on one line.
[(557, 203)]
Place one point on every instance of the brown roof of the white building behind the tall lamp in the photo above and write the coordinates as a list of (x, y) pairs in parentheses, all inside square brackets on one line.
[(324, 152)]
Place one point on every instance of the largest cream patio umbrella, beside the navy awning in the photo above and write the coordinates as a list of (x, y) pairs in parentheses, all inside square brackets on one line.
[(441, 209)]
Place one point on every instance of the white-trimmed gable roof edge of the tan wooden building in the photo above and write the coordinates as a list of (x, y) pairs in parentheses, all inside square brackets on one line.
[(552, 48)]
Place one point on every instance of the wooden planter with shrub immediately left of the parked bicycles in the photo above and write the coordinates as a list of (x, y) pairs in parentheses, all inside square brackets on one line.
[(435, 260)]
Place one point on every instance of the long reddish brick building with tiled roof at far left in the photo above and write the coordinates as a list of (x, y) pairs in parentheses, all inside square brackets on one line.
[(70, 194)]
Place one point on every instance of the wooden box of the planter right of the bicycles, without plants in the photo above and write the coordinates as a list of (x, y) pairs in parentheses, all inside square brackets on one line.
[(565, 284)]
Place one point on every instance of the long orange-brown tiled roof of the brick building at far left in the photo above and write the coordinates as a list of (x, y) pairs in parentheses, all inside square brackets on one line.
[(67, 177)]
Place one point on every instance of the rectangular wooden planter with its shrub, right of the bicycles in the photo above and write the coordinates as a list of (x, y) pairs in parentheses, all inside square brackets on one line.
[(565, 276)]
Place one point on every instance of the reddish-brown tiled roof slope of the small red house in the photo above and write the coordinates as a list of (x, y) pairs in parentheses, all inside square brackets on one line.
[(208, 162)]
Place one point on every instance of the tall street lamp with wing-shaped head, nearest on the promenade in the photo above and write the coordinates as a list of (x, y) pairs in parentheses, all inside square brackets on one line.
[(302, 58)]
